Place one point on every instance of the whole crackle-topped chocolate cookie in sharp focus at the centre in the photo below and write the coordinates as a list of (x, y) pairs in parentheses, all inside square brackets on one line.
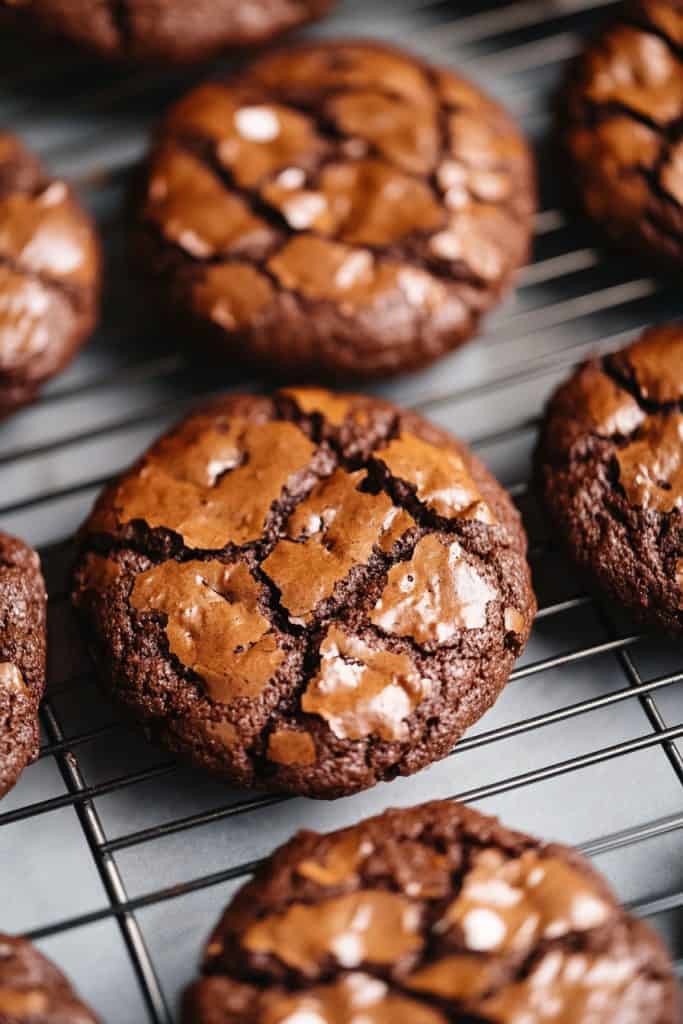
[(313, 592)]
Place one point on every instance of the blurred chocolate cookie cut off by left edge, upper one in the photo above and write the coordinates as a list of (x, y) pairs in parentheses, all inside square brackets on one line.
[(50, 276)]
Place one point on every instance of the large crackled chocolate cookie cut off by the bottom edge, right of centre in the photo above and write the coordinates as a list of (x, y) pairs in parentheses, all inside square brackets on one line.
[(430, 916)]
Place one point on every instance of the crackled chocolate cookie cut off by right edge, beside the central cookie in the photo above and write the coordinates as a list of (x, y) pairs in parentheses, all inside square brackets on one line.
[(612, 474)]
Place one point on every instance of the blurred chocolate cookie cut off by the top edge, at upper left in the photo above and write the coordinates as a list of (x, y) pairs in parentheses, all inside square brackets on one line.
[(169, 31)]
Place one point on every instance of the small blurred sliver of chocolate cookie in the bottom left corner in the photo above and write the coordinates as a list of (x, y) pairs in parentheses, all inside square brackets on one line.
[(33, 991)]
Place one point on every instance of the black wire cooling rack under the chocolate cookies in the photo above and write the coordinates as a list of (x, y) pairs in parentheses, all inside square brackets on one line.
[(117, 861)]
